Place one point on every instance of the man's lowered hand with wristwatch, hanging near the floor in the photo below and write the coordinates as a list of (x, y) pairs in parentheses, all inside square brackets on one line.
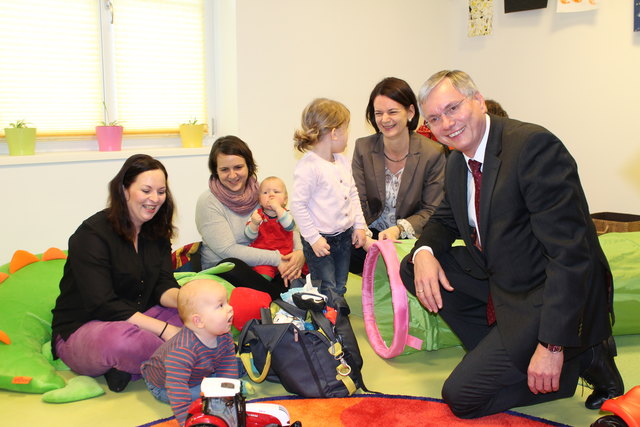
[(544, 370)]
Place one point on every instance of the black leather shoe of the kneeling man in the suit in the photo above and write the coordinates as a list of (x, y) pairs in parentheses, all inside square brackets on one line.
[(603, 374)]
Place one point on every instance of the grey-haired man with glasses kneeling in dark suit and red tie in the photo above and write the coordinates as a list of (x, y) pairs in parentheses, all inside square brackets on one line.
[(530, 294)]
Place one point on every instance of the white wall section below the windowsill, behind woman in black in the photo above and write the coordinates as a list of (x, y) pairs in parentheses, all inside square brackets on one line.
[(43, 204)]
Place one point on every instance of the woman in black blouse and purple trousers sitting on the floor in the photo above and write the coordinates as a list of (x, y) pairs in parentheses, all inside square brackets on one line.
[(118, 293)]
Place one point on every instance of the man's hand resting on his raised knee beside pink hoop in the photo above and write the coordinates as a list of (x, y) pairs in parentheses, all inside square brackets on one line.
[(428, 277)]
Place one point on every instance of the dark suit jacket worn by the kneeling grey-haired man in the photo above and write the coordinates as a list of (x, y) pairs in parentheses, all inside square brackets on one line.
[(548, 277)]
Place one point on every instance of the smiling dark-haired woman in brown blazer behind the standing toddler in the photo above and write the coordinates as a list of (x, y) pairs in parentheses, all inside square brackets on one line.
[(399, 173)]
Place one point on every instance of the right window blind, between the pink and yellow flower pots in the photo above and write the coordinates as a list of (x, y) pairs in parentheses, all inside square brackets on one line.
[(159, 63)]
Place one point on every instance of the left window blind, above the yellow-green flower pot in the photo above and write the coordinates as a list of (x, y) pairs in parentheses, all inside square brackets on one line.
[(50, 72)]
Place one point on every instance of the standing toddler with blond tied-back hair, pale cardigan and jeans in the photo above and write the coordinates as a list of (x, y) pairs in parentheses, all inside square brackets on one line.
[(325, 203)]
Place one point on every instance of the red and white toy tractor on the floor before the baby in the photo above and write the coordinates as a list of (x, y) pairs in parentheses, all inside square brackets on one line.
[(223, 405)]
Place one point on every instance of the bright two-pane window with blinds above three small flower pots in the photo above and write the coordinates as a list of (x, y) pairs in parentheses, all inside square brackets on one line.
[(62, 59)]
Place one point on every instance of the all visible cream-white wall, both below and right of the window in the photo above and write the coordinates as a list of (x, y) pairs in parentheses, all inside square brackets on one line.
[(575, 74)]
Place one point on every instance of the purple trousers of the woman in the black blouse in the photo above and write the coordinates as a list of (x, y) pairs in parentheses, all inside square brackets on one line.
[(99, 346)]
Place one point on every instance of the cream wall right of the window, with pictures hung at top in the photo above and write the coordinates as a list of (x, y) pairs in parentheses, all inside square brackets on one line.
[(576, 74)]
